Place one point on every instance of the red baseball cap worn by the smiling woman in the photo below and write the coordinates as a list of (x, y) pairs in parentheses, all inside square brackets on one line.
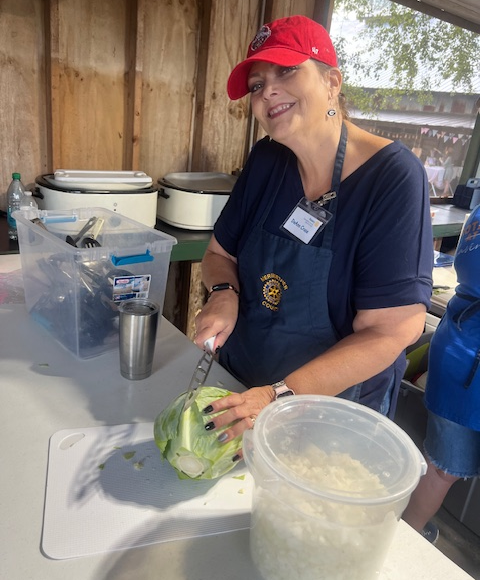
[(287, 42)]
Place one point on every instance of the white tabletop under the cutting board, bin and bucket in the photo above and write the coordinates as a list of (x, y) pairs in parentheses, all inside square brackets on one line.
[(38, 400)]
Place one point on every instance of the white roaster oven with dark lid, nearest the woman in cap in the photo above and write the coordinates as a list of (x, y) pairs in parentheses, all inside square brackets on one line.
[(194, 200)]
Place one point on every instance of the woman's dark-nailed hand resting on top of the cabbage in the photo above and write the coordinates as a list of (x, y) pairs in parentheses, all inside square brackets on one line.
[(239, 411)]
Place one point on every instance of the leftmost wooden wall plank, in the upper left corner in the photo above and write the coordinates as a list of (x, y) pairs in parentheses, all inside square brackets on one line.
[(22, 106)]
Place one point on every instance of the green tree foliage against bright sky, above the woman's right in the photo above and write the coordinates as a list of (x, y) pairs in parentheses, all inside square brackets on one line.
[(413, 47)]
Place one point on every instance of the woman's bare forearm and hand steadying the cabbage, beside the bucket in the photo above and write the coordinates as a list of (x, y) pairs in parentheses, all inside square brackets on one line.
[(379, 336)]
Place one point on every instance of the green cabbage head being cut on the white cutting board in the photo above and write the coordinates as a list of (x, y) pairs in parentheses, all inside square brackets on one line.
[(192, 451)]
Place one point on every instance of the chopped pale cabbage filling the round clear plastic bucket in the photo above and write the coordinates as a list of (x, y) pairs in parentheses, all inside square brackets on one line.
[(295, 534)]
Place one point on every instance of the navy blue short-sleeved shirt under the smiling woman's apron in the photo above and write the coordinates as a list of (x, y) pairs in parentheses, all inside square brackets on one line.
[(382, 244)]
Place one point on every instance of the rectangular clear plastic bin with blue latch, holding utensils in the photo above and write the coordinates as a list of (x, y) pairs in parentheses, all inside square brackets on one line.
[(74, 292)]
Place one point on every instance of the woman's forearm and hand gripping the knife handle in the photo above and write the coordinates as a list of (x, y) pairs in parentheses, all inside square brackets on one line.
[(219, 315)]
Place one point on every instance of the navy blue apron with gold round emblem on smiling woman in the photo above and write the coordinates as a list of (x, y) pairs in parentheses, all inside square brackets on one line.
[(283, 319)]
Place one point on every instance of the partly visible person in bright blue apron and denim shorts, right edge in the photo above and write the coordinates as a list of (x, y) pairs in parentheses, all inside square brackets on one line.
[(452, 394)]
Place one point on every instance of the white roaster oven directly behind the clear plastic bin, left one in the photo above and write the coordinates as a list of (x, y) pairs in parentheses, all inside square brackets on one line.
[(130, 193)]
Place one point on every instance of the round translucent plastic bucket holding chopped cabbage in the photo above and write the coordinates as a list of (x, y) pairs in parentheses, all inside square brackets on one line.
[(332, 479)]
